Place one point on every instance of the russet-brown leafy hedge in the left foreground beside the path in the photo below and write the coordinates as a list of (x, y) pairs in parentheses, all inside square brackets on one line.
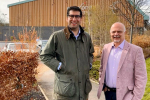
[(17, 74)]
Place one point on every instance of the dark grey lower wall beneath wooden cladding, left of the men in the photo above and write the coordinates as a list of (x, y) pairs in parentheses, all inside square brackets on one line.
[(43, 32)]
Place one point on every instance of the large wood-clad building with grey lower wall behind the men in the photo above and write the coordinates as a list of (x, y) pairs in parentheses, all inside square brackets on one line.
[(50, 15)]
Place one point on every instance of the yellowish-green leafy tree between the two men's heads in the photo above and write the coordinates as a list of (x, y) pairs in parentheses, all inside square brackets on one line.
[(98, 21)]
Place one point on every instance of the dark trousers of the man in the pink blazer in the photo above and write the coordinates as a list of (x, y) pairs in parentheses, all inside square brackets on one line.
[(109, 95)]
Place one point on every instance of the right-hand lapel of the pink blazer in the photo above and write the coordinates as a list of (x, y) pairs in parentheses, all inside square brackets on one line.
[(123, 55)]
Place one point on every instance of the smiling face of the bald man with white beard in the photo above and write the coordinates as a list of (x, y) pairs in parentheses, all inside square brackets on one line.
[(117, 33)]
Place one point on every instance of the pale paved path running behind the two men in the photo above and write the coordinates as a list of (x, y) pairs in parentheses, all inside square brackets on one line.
[(45, 80)]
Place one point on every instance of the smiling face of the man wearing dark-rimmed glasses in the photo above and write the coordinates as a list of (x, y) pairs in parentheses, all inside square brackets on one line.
[(74, 19)]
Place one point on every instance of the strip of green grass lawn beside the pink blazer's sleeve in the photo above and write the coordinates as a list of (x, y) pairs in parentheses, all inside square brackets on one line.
[(147, 89)]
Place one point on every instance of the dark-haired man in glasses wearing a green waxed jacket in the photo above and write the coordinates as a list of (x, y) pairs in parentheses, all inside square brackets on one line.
[(69, 53)]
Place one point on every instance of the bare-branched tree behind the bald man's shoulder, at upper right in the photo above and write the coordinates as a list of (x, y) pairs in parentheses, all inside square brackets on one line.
[(131, 11)]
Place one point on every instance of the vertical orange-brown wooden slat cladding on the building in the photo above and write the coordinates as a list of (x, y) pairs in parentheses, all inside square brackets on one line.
[(53, 12)]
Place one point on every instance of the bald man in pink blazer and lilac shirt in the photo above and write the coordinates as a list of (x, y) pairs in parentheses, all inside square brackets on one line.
[(122, 75)]
